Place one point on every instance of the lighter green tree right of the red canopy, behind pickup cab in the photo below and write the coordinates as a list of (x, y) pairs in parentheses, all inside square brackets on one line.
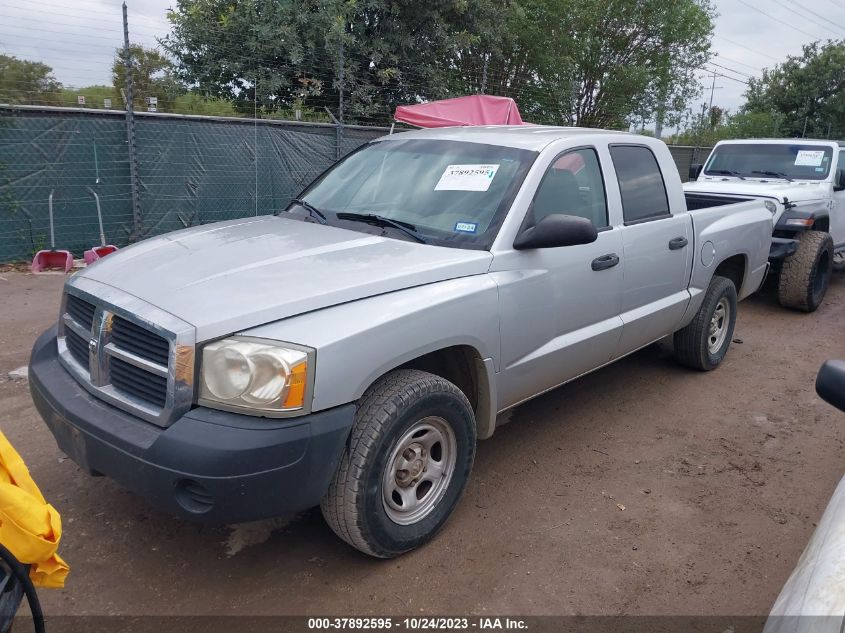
[(602, 61)]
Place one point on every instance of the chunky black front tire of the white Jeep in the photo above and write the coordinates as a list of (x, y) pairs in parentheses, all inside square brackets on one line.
[(805, 275)]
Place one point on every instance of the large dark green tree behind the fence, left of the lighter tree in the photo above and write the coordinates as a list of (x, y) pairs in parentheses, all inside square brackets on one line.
[(302, 53)]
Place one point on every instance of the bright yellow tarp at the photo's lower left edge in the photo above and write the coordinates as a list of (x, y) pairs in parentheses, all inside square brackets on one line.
[(30, 527)]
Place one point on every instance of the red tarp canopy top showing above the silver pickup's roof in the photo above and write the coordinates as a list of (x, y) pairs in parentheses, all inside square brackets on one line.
[(470, 110)]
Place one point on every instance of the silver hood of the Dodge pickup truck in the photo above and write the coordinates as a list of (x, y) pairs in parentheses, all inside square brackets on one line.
[(230, 276)]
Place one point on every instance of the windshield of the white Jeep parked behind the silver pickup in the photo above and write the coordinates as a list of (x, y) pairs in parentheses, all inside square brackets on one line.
[(769, 160)]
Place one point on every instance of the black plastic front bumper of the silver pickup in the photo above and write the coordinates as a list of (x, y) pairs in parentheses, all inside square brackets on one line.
[(209, 465)]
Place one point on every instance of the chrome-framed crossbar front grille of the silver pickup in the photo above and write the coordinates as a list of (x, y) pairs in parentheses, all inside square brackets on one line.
[(125, 351)]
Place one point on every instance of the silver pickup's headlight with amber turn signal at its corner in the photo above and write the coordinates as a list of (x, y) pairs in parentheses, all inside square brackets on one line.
[(254, 375)]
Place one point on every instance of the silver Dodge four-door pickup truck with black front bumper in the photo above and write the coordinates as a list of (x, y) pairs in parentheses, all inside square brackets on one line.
[(350, 350)]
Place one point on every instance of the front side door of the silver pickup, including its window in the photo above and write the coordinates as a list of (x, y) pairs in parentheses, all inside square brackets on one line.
[(559, 307)]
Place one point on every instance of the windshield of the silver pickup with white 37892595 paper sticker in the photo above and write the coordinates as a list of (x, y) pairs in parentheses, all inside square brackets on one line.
[(449, 193)]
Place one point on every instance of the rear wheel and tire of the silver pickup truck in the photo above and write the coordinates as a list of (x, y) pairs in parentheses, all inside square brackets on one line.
[(697, 345)]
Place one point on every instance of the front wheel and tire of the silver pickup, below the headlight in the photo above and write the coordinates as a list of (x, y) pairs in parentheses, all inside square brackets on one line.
[(380, 500)]
